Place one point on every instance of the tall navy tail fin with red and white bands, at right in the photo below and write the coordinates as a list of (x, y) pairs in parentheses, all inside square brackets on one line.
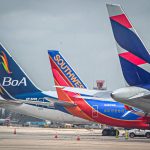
[(134, 57)]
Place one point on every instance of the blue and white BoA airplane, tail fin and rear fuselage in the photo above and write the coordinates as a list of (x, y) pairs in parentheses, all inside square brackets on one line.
[(19, 94)]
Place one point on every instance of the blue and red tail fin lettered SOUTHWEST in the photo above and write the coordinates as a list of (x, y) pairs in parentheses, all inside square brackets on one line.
[(63, 74)]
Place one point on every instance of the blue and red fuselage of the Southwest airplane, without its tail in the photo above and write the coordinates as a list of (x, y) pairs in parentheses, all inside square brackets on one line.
[(111, 113)]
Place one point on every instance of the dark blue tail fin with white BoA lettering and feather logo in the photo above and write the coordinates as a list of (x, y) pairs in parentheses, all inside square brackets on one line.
[(12, 78)]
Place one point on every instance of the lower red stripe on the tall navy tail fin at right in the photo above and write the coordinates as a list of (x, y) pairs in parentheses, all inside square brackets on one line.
[(132, 58)]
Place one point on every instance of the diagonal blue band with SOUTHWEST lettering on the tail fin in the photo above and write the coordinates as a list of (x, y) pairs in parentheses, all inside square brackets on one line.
[(67, 71)]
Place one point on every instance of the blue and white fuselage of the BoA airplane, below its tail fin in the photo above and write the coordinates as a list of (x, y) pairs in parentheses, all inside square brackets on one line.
[(42, 111)]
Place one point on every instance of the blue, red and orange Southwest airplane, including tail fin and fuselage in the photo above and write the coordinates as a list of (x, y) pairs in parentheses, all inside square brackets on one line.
[(101, 110)]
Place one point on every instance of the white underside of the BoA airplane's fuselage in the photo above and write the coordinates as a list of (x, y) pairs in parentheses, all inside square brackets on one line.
[(44, 113)]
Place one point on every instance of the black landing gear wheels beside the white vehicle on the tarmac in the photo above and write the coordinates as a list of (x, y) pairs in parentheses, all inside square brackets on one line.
[(110, 132)]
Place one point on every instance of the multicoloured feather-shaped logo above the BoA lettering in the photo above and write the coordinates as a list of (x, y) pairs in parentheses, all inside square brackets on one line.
[(4, 62)]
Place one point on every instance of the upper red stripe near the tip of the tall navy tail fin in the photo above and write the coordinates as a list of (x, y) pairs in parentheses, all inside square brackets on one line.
[(122, 19)]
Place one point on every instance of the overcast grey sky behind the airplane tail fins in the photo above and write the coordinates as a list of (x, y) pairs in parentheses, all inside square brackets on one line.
[(80, 29)]
